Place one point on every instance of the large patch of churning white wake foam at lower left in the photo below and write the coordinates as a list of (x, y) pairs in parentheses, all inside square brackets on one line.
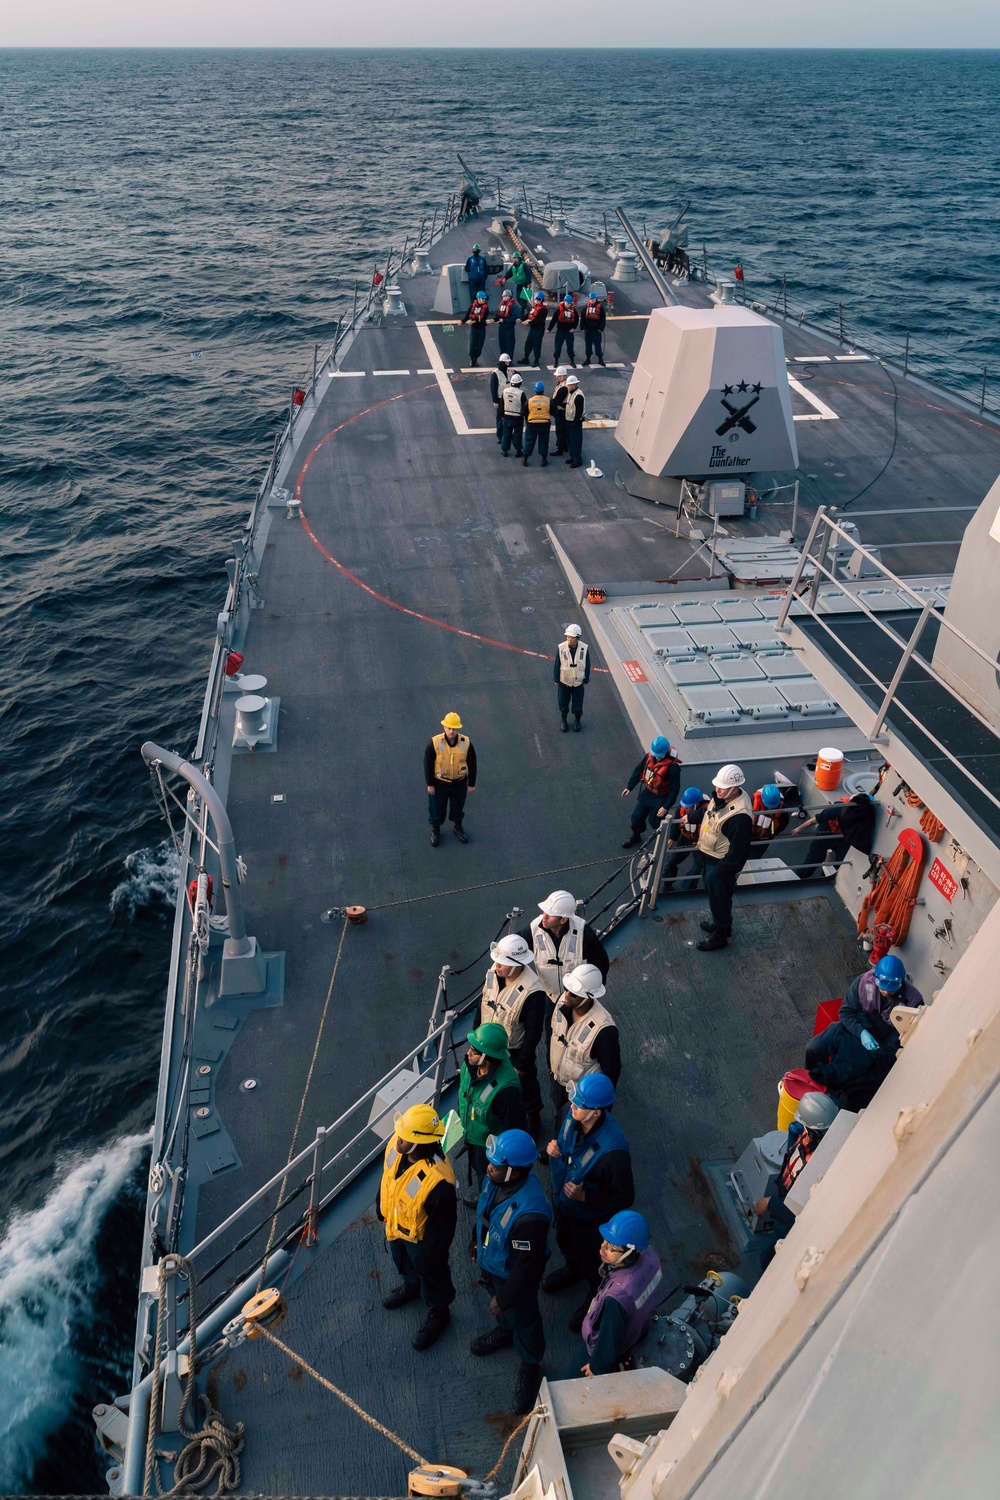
[(49, 1288)]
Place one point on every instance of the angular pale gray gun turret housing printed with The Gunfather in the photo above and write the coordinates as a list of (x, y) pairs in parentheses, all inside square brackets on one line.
[(708, 403)]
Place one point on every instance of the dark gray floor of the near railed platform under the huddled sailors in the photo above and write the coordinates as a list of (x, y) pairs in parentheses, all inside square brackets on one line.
[(704, 1049)]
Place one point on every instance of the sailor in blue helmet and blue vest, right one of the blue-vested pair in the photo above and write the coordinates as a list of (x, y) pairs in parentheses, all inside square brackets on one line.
[(591, 1180)]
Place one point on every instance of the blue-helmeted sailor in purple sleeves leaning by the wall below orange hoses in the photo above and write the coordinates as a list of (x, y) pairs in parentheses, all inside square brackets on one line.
[(854, 1055)]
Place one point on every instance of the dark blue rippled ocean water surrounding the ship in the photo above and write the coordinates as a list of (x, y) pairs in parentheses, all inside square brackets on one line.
[(178, 230)]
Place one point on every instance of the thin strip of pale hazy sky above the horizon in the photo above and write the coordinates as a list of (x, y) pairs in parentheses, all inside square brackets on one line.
[(457, 23)]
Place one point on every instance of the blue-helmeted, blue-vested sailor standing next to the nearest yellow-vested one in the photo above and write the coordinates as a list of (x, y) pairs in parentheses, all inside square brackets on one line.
[(510, 1246)]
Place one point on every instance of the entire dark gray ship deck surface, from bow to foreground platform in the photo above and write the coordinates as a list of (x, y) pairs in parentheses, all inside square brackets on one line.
[(410, 517)]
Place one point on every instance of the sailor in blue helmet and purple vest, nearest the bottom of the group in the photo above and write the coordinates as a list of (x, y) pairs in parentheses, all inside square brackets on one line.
[(629, 1291)]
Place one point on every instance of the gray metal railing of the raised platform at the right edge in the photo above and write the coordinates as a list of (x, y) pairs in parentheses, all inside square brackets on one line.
[(824, 535)]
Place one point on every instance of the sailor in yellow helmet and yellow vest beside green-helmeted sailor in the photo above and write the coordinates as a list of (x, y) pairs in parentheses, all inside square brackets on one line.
[(418, 1207)]
